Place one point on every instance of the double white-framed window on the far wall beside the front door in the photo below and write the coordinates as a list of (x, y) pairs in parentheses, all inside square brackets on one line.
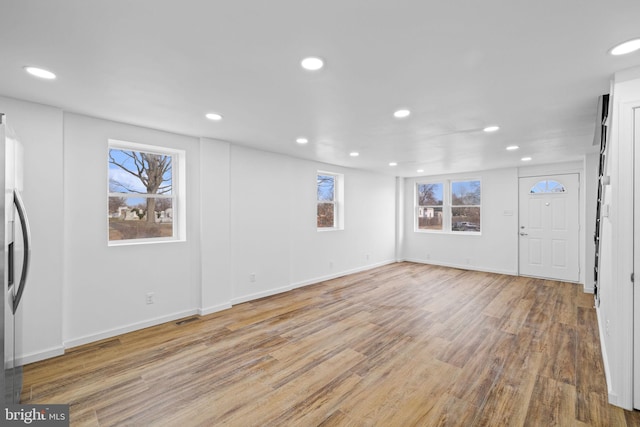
[(448, 206)]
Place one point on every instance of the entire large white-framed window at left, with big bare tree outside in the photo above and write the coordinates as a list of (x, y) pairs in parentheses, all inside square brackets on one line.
[(143, 202)]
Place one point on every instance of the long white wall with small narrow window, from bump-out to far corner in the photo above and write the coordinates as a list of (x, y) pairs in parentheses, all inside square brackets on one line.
[(273, 224)]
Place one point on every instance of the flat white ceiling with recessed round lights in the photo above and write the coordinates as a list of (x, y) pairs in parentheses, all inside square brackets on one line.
[(535, 68)]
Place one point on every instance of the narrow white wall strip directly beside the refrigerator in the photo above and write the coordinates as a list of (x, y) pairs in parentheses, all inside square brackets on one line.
[(40, 129)]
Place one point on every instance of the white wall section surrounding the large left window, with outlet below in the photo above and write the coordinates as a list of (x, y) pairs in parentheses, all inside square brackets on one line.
[(105, 286)]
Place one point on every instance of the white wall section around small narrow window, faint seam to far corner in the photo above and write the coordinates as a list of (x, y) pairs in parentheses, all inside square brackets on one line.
[(369, 216)]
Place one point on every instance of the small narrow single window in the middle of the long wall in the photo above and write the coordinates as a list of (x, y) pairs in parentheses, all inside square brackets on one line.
[(329, 197)]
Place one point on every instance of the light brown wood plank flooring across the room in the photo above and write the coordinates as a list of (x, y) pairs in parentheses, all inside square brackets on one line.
[(401, 345)]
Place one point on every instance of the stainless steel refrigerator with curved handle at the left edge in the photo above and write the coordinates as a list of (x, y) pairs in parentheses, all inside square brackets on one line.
[(14, 261)]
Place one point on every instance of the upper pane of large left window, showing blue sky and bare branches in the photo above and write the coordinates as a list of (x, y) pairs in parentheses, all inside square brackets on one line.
[(139, 172)]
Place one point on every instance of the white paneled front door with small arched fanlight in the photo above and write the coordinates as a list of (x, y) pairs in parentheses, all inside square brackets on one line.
[(549, 227)]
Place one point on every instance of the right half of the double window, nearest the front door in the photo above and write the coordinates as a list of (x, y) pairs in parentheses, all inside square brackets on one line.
[(465, 206)]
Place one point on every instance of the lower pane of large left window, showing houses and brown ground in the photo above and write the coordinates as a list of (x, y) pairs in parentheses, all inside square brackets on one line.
[(128, 217)]
